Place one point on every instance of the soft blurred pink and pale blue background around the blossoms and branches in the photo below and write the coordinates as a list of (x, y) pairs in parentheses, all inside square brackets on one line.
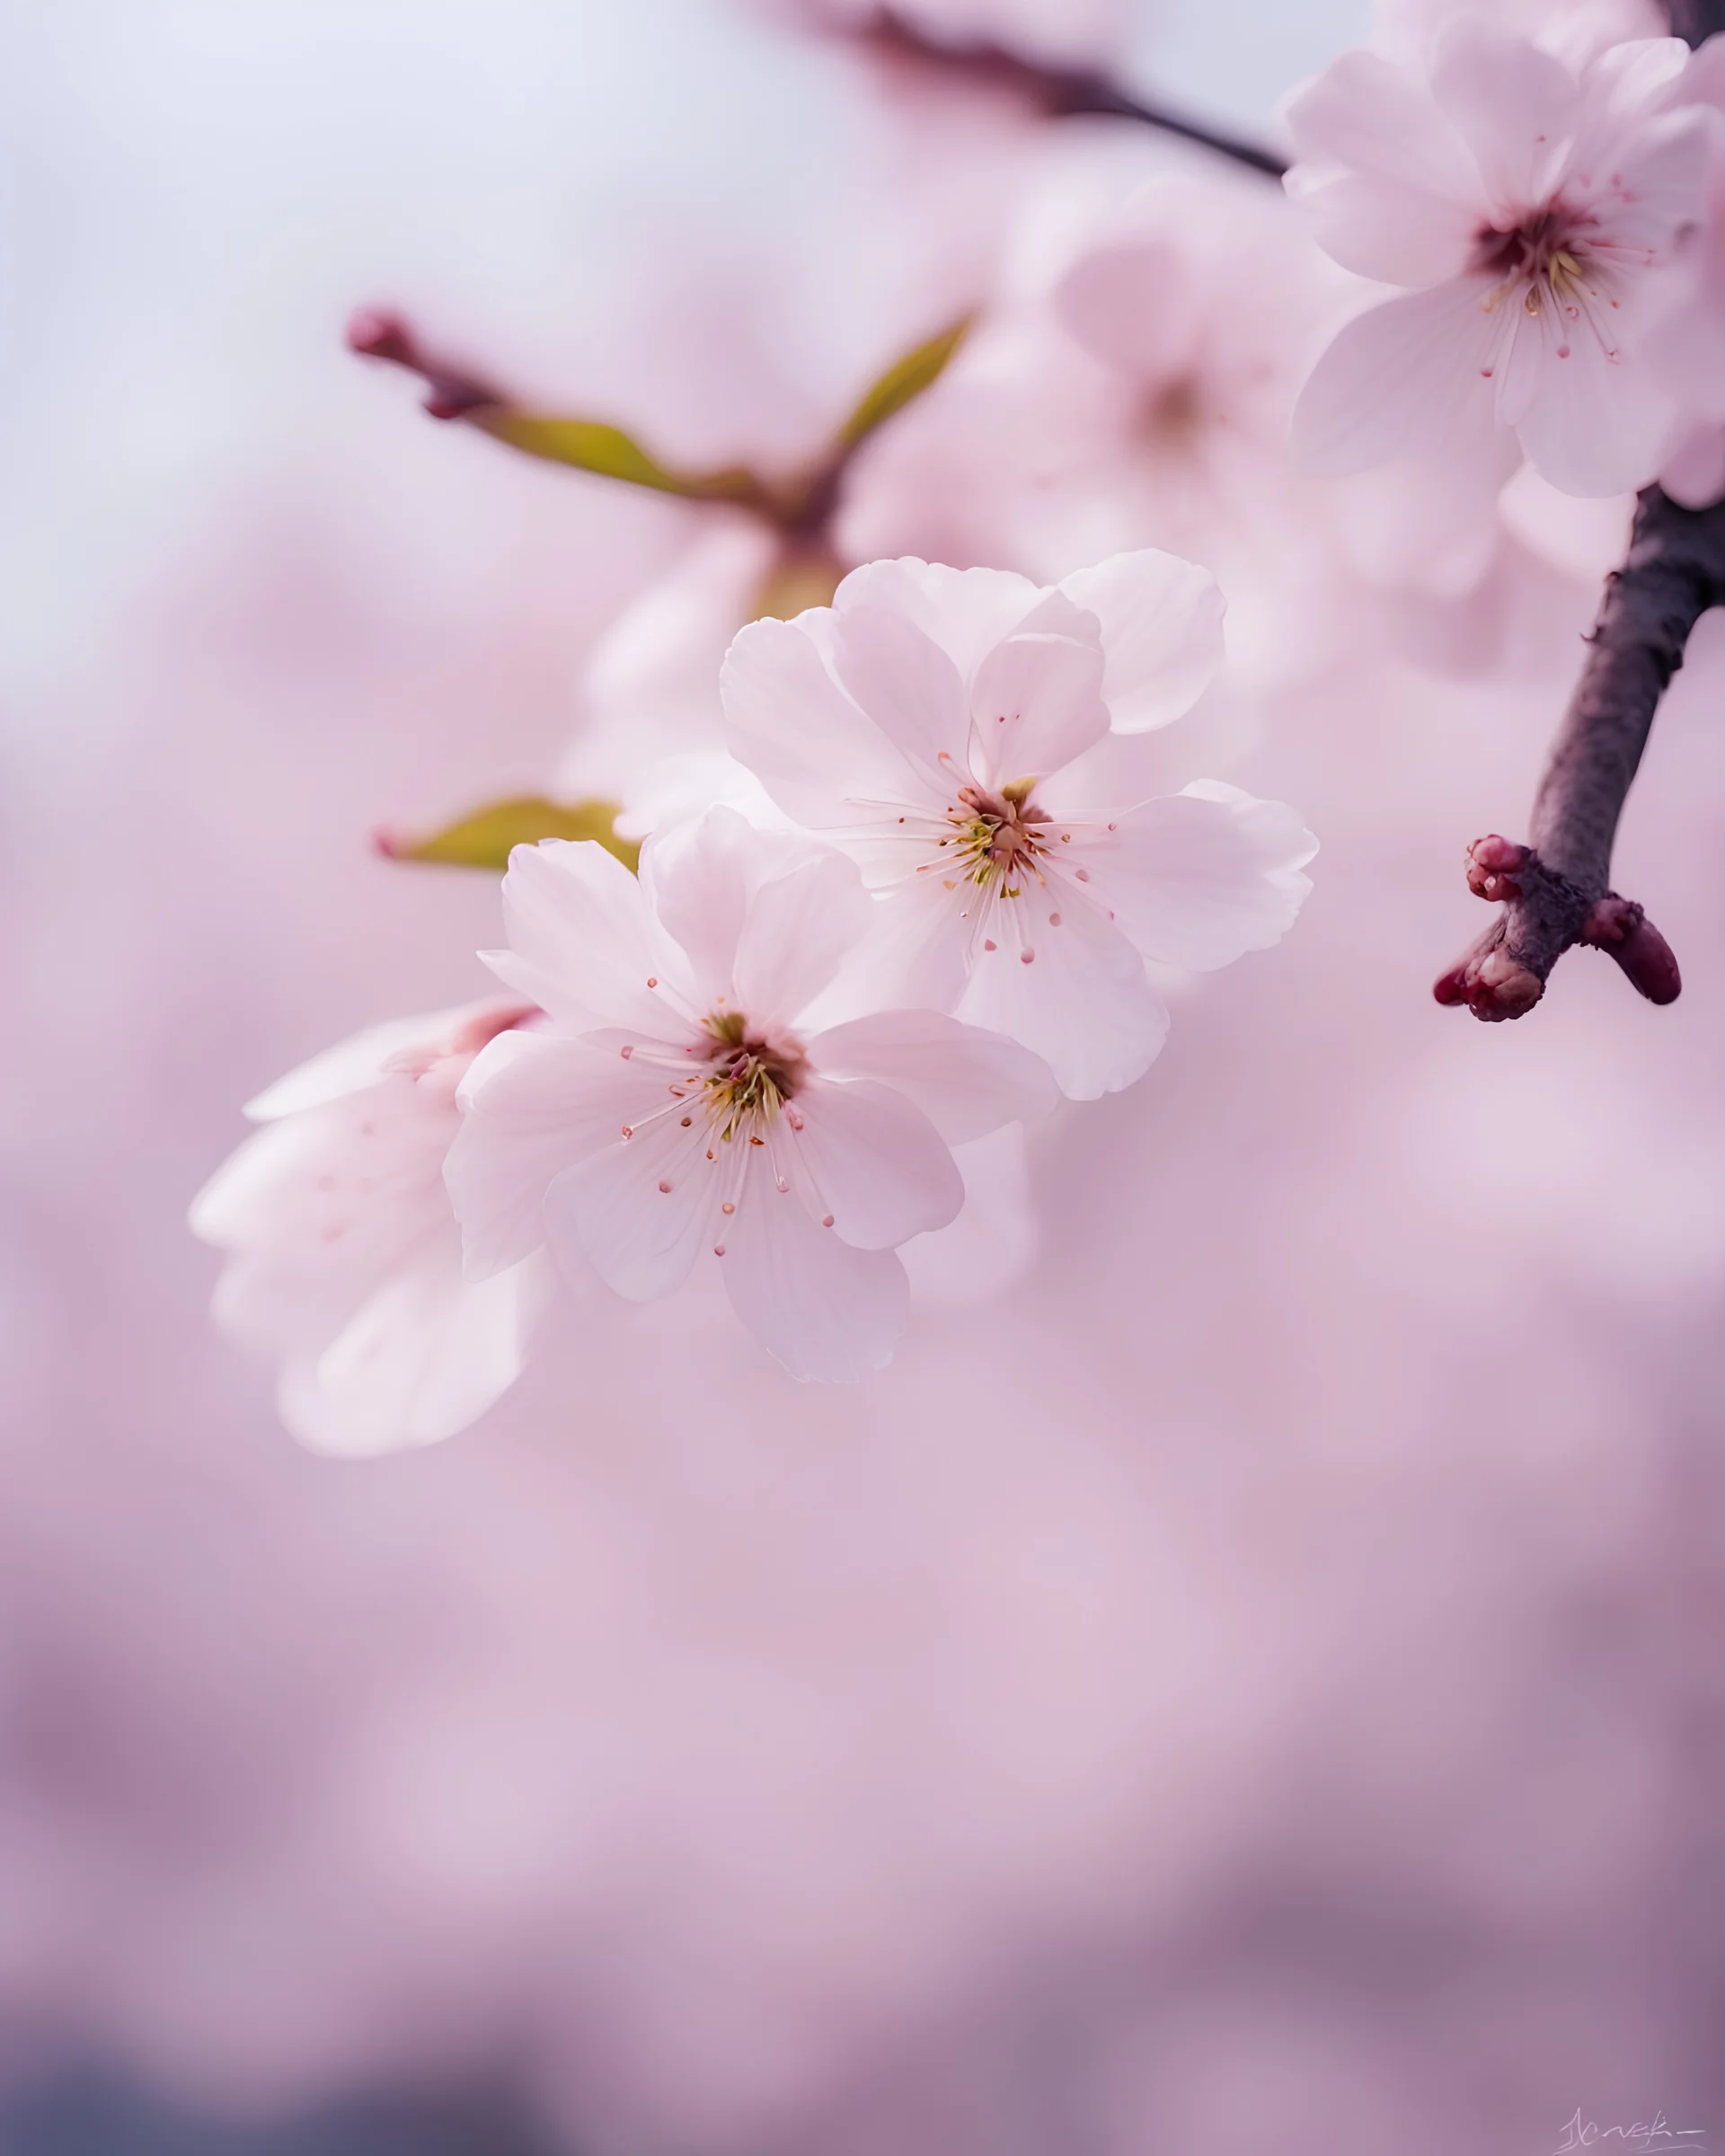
[(1252, 1687)]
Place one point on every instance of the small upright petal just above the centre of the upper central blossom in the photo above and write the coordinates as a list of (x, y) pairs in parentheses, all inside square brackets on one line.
[(1038, 695)]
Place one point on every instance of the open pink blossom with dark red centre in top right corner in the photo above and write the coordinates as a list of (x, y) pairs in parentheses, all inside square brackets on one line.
[(1536, 212)]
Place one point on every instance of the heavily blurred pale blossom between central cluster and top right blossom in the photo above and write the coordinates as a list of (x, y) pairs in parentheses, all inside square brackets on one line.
[(1131, 387)]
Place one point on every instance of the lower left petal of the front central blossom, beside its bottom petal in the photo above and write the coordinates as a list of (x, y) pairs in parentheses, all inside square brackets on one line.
[(646, 1208)]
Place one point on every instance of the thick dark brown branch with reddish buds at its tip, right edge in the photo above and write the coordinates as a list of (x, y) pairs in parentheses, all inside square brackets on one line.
[(1558, 889)]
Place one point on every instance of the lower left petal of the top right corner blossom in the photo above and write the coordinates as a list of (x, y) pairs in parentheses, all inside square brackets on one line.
[(1411, 378)]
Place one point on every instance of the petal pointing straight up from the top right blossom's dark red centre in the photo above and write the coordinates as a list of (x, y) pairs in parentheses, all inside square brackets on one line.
[(1510, 102)]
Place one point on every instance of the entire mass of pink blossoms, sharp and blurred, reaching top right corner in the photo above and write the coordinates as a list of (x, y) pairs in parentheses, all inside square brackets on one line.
[(926, 859)]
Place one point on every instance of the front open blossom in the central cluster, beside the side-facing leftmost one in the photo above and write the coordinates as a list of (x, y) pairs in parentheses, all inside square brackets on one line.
[(680, 1101)]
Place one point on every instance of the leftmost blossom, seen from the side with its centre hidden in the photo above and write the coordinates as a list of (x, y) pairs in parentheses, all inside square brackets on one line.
[(344, 1254)]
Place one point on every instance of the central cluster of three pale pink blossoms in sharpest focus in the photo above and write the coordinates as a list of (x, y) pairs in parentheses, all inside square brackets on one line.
[(764, 1049)]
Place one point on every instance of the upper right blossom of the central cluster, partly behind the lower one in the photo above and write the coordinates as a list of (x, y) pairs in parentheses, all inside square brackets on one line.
[(967, 736)]
